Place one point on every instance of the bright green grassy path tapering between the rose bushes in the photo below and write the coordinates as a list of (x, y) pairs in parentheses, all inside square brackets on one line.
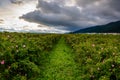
[(61, 65)]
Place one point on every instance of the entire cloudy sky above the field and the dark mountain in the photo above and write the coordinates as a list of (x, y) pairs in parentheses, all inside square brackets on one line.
[(57, 16)]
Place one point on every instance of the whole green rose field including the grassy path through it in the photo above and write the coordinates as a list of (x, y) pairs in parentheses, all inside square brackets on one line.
[(25, 56)]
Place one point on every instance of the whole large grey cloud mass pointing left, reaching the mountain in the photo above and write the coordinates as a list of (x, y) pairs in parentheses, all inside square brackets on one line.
[(83, 13)]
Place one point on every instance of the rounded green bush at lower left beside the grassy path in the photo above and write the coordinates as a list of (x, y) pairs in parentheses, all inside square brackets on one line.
[(25, 68)]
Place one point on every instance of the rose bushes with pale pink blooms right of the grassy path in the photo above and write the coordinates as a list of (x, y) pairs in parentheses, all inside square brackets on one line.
[(97, 55)]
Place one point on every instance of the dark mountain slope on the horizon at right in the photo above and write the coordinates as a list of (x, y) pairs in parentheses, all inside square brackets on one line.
[(113, 27)]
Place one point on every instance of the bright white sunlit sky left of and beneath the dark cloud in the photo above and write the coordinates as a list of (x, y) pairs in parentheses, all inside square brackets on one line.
[(11, 13)]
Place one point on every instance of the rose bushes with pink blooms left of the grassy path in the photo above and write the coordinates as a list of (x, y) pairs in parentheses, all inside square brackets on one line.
[(22, 55)]
